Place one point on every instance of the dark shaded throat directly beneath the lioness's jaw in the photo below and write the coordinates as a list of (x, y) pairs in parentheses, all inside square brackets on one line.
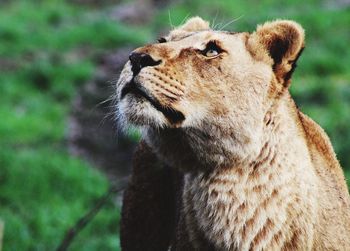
[(199, 150)]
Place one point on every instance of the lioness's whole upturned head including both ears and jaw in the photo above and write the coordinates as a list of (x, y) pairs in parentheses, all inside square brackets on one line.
[(211, 88)]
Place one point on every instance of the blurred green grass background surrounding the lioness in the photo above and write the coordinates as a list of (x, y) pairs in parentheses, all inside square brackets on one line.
[(49, 50)]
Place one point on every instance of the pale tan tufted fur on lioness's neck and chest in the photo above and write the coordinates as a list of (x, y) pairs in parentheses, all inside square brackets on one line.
[(254, 204)]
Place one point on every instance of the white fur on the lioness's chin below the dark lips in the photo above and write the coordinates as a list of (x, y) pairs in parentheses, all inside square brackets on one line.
[(138, 112)]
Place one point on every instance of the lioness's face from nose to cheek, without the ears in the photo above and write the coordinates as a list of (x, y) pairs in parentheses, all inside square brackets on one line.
[(199, 76)]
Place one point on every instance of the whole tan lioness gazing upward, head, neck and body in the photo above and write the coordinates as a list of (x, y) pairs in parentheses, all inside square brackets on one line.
[(227, 161)]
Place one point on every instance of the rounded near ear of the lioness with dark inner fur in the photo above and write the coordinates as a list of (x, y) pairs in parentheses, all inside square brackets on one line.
[(283, 40)]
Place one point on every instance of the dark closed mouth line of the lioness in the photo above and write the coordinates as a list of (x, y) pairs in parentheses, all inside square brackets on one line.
[(172, 115)]
